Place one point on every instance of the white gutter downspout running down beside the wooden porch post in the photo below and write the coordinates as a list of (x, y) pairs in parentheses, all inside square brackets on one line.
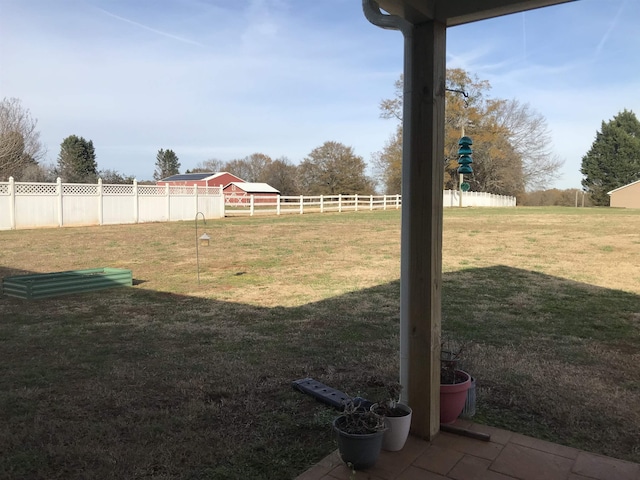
[(372, 13)]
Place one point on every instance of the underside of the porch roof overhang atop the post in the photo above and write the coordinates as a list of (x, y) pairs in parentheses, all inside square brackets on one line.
[(457, 12)]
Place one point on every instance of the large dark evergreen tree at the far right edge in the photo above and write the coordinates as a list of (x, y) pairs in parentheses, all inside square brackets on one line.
[(614, 157)]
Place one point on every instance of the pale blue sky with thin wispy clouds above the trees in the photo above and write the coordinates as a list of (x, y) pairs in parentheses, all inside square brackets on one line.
[(228, 78)]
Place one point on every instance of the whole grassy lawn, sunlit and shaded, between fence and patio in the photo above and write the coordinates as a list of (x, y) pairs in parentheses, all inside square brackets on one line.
[(171, 379)]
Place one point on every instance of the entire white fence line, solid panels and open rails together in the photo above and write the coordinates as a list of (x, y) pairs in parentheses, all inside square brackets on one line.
[(34, 205)]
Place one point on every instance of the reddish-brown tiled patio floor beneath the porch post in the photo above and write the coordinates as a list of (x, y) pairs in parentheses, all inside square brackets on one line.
[(508, 456)]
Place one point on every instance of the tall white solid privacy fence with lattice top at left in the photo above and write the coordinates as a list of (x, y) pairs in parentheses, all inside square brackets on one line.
[(35, 205)]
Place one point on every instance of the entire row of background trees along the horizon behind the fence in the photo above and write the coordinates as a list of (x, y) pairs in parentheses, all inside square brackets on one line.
[(511, 153)]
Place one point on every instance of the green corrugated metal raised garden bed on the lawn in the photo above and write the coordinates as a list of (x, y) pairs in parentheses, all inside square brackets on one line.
[(41, 285)]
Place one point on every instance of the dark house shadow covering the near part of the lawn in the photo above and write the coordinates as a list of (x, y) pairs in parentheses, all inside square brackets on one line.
[(134, 383)]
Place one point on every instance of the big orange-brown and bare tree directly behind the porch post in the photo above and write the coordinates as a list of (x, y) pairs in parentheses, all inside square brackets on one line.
[(512, 143)]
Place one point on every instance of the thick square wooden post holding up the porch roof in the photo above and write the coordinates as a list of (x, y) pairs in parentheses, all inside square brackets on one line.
[(421, 256)]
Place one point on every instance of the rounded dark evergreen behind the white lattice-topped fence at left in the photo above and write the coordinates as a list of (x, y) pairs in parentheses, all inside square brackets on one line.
[(77, 160)]
